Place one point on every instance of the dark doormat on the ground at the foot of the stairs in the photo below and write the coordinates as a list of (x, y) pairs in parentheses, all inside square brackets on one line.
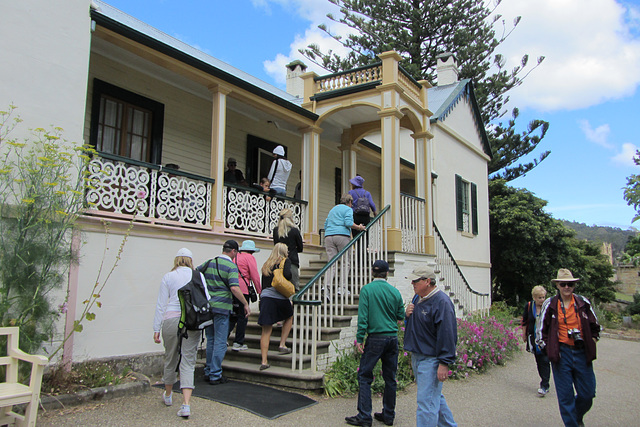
[(260, 400)]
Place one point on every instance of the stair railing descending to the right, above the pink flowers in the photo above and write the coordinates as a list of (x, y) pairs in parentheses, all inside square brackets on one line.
[(466, 298)]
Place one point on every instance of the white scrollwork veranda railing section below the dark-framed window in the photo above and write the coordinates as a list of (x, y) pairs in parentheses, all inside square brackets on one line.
[(123, 187)]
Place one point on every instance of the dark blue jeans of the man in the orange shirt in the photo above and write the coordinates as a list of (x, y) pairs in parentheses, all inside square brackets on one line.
[(573, 371)]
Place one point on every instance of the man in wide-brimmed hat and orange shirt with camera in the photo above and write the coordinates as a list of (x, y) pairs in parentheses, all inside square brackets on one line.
[(569, 333)]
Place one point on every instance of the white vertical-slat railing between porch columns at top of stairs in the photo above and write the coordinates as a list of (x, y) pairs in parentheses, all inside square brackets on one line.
[(412, 224)]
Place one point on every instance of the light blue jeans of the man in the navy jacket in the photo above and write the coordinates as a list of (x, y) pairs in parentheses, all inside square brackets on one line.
[(432, 407)]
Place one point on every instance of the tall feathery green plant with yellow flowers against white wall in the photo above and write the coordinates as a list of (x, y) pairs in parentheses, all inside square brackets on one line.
[(41, 196)]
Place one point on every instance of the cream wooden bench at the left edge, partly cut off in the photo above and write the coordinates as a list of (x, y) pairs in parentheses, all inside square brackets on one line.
[(14, 393)]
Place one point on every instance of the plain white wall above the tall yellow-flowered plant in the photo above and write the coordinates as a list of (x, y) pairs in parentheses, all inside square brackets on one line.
[(45, 57)]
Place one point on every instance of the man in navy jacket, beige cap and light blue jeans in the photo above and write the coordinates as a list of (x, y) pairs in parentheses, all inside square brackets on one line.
[(431, 336)]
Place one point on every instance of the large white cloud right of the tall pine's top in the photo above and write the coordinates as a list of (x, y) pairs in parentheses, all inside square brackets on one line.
[(592, 51)]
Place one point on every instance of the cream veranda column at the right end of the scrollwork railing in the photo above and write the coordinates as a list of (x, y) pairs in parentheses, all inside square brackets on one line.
[(310, 181)]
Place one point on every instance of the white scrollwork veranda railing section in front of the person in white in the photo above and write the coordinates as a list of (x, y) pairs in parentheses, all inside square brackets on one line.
[(249, 211)]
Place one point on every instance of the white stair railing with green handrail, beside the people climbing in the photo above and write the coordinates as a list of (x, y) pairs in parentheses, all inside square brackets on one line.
[(335, 286)]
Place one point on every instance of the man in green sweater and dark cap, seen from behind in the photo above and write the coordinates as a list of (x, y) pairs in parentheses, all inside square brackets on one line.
[(379, 311)]
